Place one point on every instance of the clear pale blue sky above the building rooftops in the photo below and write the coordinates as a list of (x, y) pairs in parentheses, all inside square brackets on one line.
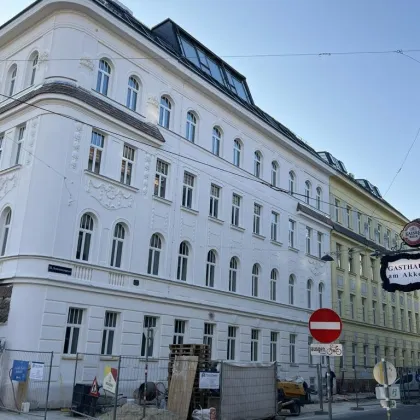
[(363, 108)]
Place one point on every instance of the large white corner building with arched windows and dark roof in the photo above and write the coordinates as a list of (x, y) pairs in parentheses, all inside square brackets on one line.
[(136, 193)]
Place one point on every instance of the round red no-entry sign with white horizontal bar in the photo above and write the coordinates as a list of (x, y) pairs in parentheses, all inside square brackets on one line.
[(325, 325)]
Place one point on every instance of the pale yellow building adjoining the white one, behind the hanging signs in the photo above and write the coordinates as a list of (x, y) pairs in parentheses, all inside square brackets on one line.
[(376, 323)]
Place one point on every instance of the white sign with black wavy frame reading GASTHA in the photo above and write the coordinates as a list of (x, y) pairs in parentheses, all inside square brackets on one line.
[(401, 272)]
